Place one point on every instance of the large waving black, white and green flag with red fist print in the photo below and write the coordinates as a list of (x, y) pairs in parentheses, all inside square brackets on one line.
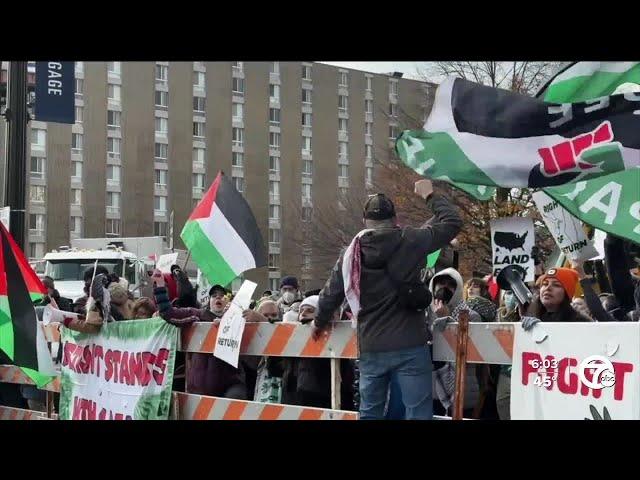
[(480, 135)]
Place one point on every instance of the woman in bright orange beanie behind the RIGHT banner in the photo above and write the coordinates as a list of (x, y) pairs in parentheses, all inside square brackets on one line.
[(553, 304)]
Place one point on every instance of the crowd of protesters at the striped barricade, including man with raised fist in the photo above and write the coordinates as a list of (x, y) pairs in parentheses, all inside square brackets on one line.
[(394, 376)]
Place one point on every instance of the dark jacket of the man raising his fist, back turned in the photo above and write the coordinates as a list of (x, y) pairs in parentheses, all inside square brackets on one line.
[(383, 325)]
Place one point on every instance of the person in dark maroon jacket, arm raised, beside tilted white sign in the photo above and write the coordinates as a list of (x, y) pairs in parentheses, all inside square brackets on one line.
[(206, 374)]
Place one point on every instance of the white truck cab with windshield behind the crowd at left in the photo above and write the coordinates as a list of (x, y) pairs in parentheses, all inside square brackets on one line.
[(67, 267)]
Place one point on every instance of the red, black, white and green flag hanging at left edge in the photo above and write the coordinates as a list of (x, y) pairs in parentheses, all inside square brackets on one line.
[(21, 337)]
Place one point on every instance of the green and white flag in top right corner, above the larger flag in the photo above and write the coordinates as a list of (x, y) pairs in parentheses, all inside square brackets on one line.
[(581, 81)]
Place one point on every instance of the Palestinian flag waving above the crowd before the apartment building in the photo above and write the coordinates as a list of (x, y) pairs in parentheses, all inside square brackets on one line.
[(222, 234)]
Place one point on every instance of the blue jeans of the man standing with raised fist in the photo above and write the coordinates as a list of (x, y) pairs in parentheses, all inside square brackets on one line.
[(412, 368)]
